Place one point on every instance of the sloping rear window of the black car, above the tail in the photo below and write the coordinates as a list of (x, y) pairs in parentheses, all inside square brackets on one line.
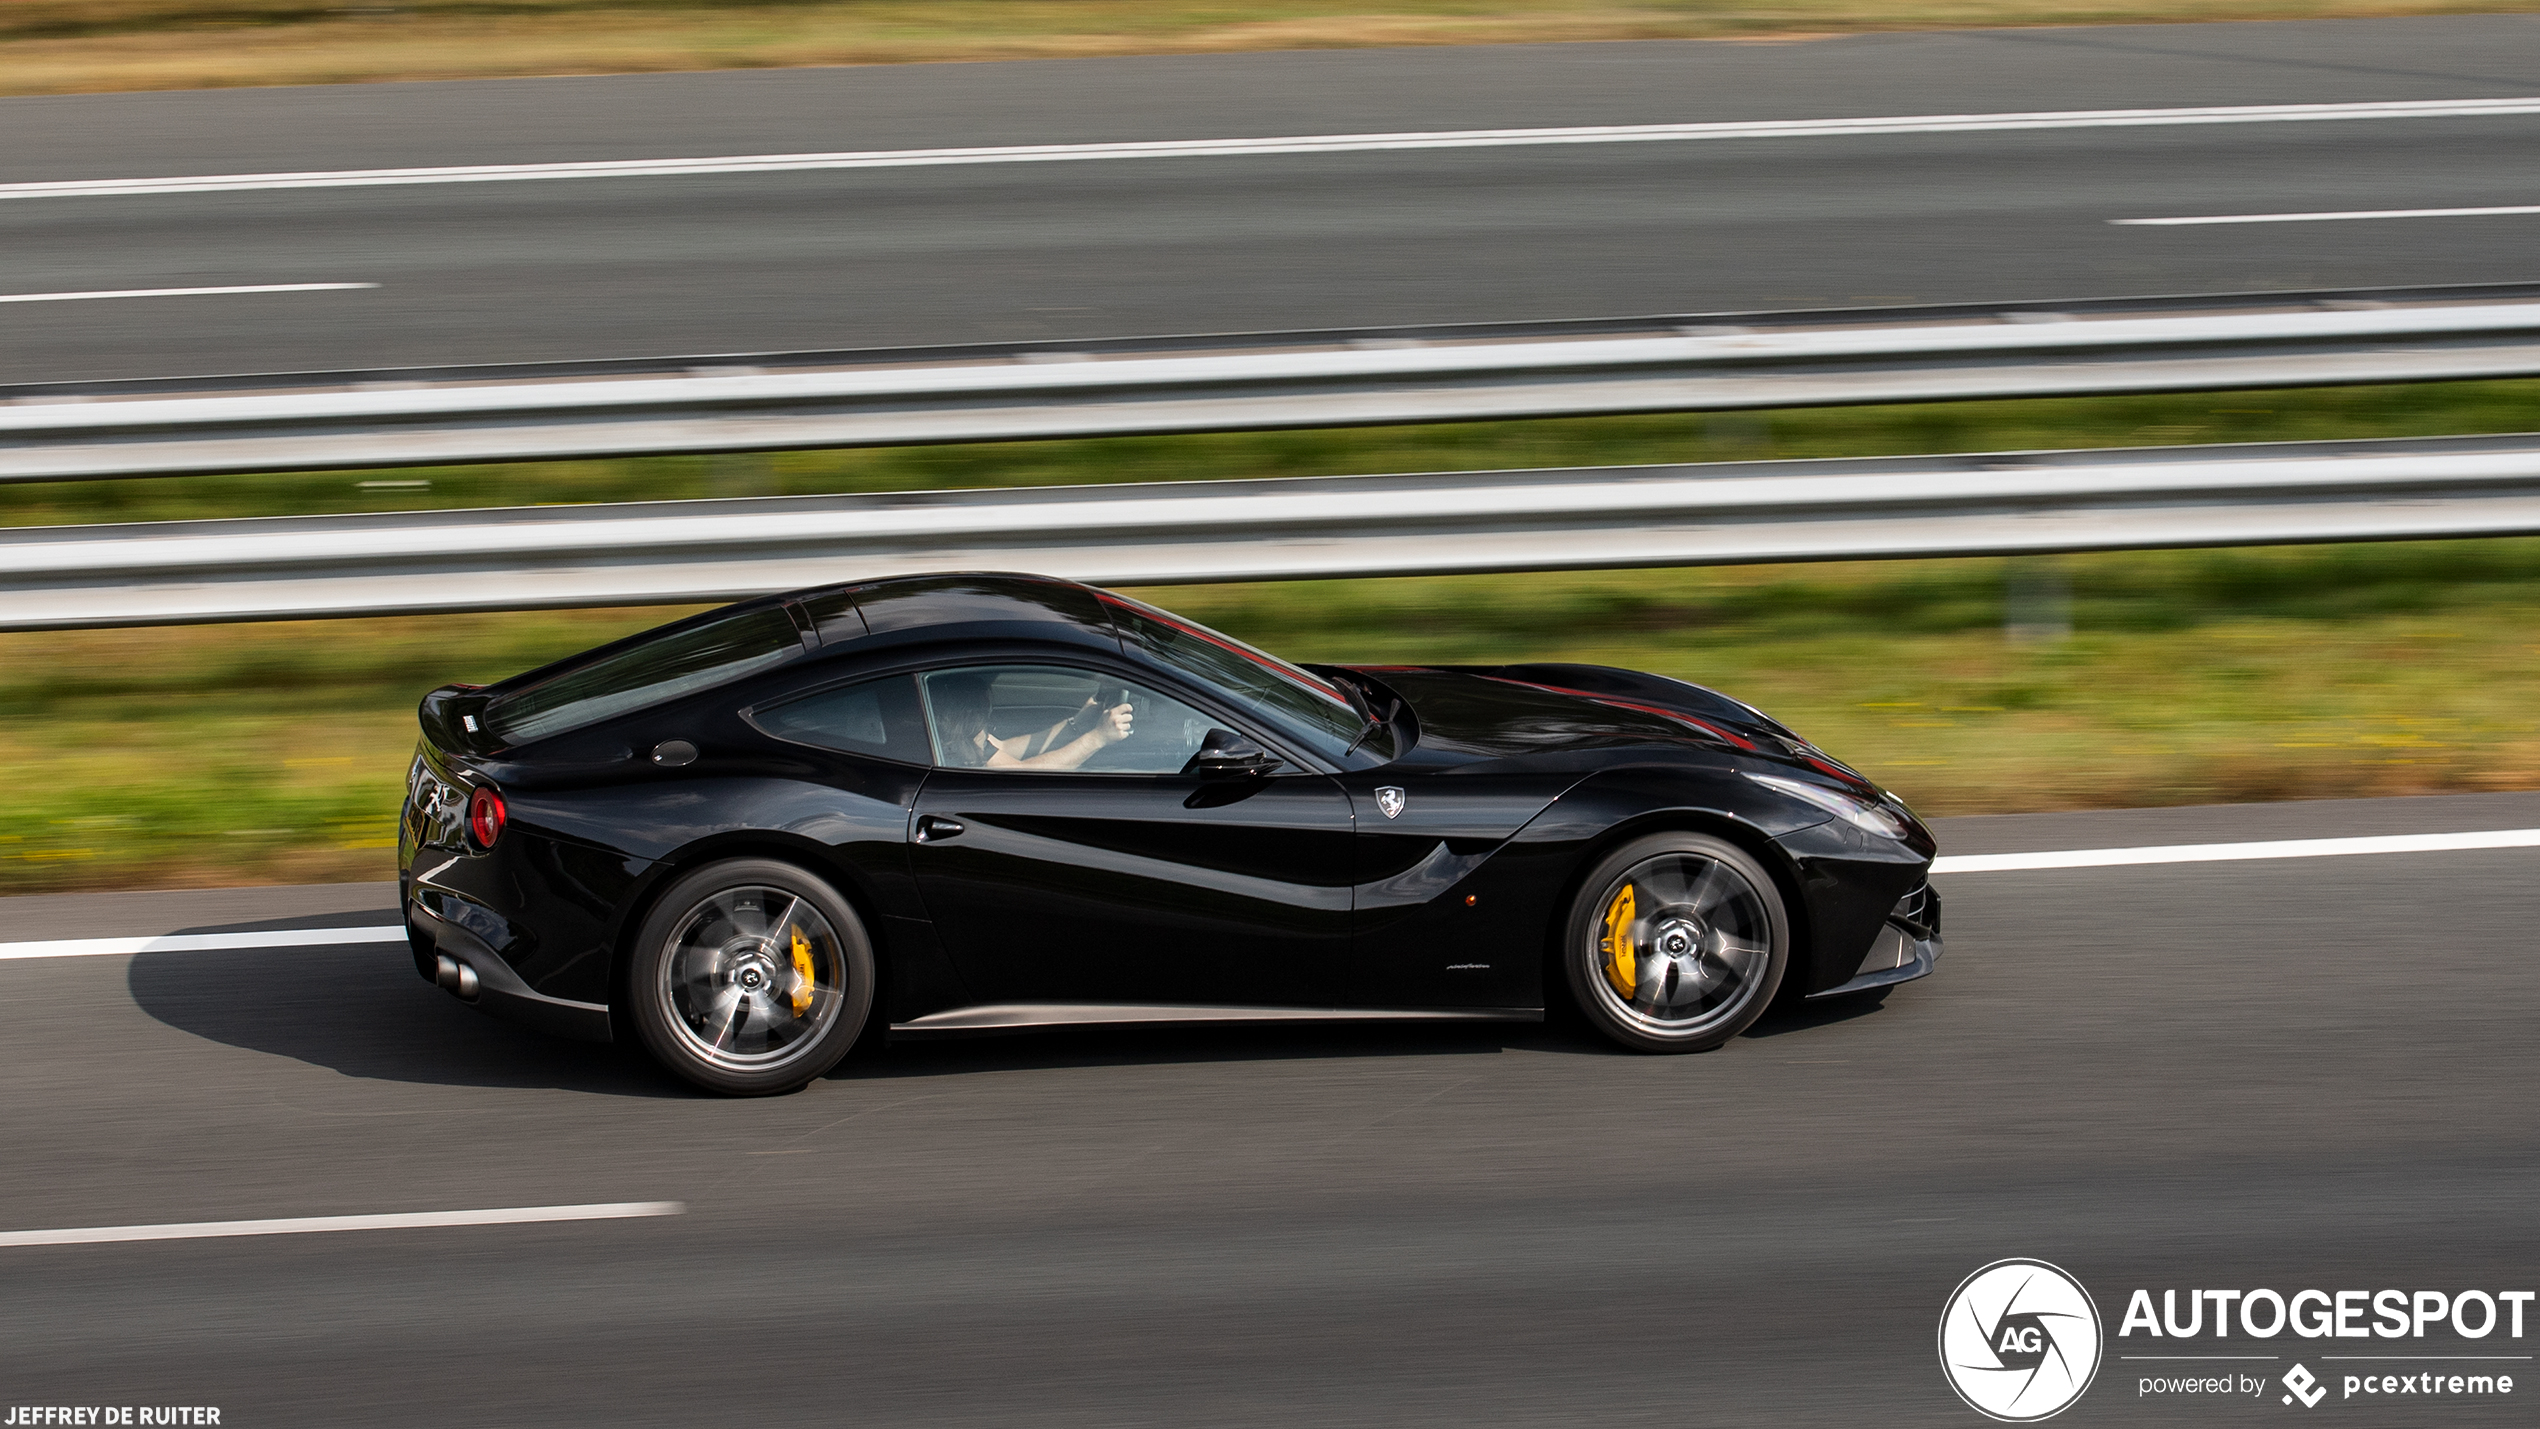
[(646, 674)]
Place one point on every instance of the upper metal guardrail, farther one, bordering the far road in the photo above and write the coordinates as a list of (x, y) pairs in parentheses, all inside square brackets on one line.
[(1307, 379)]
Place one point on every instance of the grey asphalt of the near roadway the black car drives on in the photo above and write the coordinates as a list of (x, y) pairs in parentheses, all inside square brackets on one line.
[(2234, 1075)]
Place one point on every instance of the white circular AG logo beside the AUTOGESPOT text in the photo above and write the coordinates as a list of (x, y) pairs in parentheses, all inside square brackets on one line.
[(2021, 1341)]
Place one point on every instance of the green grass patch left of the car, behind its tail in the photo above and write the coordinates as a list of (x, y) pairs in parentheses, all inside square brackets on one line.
[(217, 755)]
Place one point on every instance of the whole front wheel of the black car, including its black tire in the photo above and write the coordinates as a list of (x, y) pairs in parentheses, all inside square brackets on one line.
[(1703, 943)]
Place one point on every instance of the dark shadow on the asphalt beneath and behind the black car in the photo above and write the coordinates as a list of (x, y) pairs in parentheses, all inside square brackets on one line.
[(362, 1011)]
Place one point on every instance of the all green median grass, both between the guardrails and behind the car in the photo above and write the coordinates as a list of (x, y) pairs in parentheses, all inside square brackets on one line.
[(220, 755)]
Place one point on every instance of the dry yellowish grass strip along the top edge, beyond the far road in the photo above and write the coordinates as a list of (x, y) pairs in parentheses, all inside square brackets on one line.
[(67, 47)]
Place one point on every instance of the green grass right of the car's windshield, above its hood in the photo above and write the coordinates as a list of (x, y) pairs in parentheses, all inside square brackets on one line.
[(2191, 676)]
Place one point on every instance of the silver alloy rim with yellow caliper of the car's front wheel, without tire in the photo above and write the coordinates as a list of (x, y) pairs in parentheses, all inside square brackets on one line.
[(1678, 945)]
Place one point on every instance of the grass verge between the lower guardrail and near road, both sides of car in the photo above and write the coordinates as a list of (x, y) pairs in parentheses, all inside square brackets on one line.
[(230, 755)]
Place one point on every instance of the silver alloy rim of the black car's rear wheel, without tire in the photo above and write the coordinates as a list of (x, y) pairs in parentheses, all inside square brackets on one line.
[(753, 978)]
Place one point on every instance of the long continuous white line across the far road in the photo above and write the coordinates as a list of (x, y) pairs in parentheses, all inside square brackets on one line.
[(1289, 146)]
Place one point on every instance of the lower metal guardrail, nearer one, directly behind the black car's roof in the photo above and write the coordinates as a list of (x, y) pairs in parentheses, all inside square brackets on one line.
[(1274, 529)]
